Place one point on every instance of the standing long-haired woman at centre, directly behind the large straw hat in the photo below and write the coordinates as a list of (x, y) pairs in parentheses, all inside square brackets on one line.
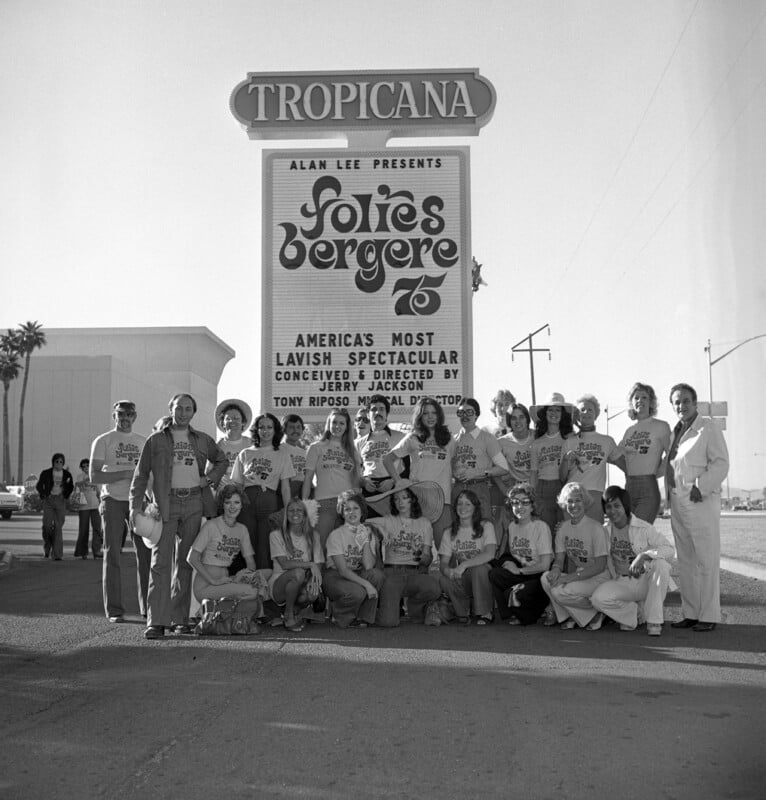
[(430, 447)]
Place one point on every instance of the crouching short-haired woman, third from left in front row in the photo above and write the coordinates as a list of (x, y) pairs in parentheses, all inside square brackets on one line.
[(351, 580)]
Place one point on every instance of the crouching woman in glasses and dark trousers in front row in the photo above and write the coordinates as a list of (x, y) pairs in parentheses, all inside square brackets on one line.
[(516, 580)]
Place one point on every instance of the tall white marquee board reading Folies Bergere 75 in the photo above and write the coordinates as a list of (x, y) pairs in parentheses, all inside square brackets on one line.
[(366, 278)]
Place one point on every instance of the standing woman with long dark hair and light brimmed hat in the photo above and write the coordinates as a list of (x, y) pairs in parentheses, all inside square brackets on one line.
[(553, 425)]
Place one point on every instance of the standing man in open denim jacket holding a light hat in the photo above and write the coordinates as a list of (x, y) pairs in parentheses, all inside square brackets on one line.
[(176, 457)]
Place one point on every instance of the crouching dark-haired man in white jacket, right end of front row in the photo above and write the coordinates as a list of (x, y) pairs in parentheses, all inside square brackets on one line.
[(639, 558)]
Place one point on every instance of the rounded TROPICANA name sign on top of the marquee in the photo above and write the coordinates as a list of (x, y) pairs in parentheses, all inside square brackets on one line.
[(404, 103)]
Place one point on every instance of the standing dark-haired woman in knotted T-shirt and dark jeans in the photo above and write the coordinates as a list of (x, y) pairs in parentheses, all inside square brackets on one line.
[(263, 471)]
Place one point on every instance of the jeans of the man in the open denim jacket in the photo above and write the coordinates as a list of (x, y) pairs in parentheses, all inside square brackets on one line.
[(170, 580)]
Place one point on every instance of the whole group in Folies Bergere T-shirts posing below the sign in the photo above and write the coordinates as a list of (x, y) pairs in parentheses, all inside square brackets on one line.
[(512, 512)]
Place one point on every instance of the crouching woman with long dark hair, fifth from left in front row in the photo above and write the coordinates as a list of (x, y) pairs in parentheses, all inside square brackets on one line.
[(464, 558)]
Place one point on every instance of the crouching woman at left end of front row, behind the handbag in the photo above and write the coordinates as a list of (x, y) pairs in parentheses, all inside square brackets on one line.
[(215, 547)]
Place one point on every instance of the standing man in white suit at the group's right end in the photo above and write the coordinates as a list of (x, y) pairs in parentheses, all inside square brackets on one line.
[(698, 462)]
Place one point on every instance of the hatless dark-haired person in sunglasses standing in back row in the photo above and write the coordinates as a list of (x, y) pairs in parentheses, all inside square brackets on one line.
[(477, 458)]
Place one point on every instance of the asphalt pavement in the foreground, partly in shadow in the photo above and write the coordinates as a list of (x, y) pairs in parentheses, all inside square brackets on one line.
[(90, 709)]
